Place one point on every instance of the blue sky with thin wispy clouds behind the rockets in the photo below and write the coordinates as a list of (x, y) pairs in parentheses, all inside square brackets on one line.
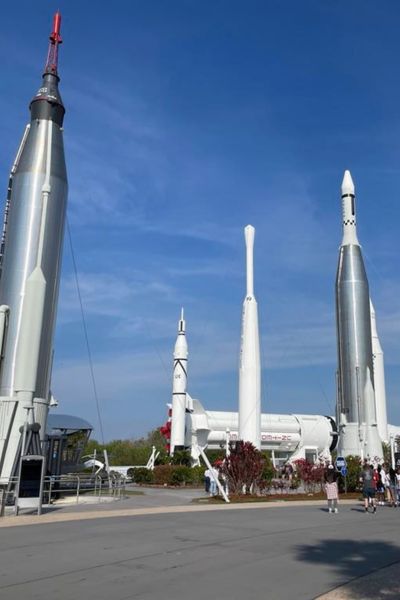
[(185, 122)]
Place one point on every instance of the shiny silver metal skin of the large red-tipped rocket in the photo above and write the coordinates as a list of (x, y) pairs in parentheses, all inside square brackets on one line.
[(21, 250)]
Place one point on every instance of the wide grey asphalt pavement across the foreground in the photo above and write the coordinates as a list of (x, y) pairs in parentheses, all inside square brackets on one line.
[(298, 552)]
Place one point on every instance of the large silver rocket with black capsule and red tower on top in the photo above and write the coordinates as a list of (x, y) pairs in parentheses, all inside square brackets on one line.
[(31, 262)]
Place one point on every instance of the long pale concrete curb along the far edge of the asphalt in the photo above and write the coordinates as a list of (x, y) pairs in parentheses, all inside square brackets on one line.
[(159, 510)]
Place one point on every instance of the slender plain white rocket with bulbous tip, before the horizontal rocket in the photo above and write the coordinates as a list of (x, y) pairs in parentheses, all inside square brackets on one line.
[(249, 365)]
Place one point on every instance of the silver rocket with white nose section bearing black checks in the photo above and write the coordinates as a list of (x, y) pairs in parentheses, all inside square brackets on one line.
[(358, 432)]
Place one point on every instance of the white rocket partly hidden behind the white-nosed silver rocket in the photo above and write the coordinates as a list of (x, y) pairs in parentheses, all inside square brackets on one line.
[(379, 379)]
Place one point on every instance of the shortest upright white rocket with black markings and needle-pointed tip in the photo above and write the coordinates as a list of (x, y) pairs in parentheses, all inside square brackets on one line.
[(179, 386)]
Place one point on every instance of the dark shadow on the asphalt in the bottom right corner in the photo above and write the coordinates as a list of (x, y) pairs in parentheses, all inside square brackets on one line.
[(352, 559)]
